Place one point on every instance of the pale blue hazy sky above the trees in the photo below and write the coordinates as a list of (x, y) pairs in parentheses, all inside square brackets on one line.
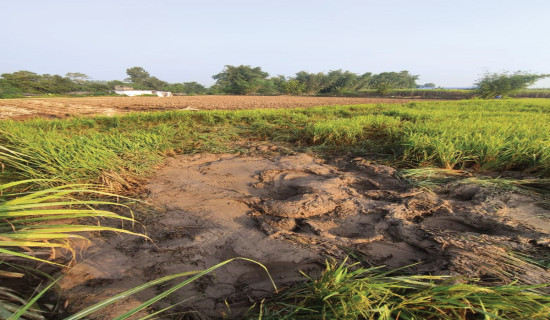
[(449, 43)]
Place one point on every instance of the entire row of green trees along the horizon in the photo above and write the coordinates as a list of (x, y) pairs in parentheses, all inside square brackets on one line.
[(247, 80)]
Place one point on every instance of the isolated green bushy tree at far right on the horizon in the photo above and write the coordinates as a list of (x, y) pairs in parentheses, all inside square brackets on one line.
[(491, 85)]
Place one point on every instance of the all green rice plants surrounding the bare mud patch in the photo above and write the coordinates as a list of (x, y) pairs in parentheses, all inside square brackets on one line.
[(60, 159)]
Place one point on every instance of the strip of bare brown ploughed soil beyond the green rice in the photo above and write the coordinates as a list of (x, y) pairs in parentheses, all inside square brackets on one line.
[(66, 107)]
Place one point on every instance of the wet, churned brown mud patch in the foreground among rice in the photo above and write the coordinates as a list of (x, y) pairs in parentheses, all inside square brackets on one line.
[(291, 213)]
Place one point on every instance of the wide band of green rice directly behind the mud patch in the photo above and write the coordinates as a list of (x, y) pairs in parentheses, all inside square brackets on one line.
[(481, 135)]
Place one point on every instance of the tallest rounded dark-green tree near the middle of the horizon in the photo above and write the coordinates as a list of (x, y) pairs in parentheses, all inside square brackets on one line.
[(240, 80)]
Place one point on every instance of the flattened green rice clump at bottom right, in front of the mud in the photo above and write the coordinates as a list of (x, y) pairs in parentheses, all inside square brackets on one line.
[(346, 292)]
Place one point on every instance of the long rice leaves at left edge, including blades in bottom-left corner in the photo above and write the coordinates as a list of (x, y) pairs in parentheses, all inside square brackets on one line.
[(31, 228)]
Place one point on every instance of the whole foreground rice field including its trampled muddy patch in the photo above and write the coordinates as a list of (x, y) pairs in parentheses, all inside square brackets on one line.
[(419, 210)]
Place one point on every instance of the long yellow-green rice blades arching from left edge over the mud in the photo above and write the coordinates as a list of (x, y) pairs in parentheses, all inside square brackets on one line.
[(27, 220)]
